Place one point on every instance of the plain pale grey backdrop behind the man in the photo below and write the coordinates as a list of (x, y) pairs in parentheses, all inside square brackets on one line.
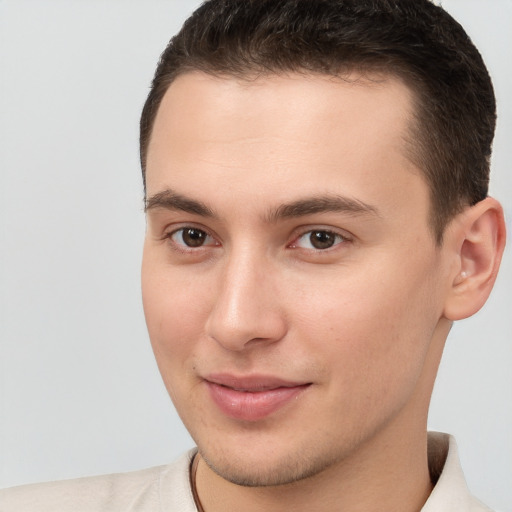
[(80, 393)]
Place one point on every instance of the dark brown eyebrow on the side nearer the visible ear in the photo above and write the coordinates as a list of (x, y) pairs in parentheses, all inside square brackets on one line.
[(322, 204)]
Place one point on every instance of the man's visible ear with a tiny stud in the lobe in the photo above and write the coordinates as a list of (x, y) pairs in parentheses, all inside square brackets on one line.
[(477, 237)]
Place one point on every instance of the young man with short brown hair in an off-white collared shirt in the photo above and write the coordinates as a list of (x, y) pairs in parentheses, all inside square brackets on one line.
[(317, 217)]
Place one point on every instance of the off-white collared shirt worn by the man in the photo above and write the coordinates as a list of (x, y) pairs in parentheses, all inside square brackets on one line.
[(167, 488)]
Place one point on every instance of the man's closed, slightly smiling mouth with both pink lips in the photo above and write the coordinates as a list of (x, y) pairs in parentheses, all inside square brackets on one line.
[(252, 398)]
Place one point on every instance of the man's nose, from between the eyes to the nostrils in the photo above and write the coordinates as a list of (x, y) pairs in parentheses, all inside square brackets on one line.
[(247, 310)]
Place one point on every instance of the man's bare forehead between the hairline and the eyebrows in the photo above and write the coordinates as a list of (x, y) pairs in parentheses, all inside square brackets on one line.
[(290, 133)]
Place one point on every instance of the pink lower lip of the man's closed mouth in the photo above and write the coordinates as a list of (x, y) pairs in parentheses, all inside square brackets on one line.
[(252, 406)]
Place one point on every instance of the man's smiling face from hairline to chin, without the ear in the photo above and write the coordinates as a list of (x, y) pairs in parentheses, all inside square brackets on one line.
[(291, 284)]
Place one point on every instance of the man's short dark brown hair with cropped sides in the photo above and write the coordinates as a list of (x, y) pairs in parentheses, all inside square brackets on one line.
[(415, 40)]
